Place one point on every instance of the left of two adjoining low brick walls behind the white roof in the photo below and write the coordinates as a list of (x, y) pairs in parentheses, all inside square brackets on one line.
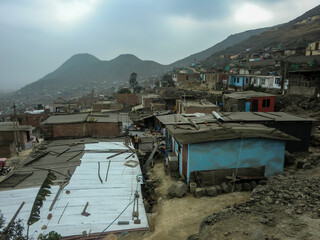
[(68, 130)]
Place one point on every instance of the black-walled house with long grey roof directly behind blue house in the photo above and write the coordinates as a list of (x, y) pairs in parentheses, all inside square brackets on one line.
[(296, 126)]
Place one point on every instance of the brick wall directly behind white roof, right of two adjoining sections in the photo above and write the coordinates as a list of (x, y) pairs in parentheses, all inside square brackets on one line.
[(103, 129)]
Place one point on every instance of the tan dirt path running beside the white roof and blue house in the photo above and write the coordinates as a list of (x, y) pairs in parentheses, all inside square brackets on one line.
[(177, 218)]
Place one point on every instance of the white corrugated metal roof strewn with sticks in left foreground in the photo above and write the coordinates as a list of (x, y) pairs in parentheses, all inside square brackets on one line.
[(106, 200)]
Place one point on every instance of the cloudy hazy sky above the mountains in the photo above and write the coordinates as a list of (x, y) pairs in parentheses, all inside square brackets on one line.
[(37, 36)]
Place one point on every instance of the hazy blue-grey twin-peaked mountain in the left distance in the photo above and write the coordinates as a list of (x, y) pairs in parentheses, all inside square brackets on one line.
[(83, 72)]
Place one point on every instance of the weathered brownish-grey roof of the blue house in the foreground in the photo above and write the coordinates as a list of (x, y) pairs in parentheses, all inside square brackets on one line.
[(213, 132)]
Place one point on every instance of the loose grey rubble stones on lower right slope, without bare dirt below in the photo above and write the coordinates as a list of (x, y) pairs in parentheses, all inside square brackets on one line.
[(291, 194)]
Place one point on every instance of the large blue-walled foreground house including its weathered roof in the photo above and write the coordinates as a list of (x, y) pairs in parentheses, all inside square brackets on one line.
[(230, 149)]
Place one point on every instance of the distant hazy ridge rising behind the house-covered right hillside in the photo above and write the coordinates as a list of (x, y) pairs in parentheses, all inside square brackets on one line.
[(229, 41)]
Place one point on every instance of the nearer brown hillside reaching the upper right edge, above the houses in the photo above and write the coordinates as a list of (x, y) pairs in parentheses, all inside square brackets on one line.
[(291, 35)]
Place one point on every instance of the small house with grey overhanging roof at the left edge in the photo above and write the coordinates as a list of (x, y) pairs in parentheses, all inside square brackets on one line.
[(12, 136)]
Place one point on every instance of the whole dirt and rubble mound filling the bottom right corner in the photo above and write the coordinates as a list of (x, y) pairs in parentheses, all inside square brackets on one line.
[(288, 207)]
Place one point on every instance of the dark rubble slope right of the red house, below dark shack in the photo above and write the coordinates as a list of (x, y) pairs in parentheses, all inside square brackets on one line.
[(295, 103)]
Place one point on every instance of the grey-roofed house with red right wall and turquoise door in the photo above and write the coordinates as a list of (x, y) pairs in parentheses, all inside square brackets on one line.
[(248, 101)]
